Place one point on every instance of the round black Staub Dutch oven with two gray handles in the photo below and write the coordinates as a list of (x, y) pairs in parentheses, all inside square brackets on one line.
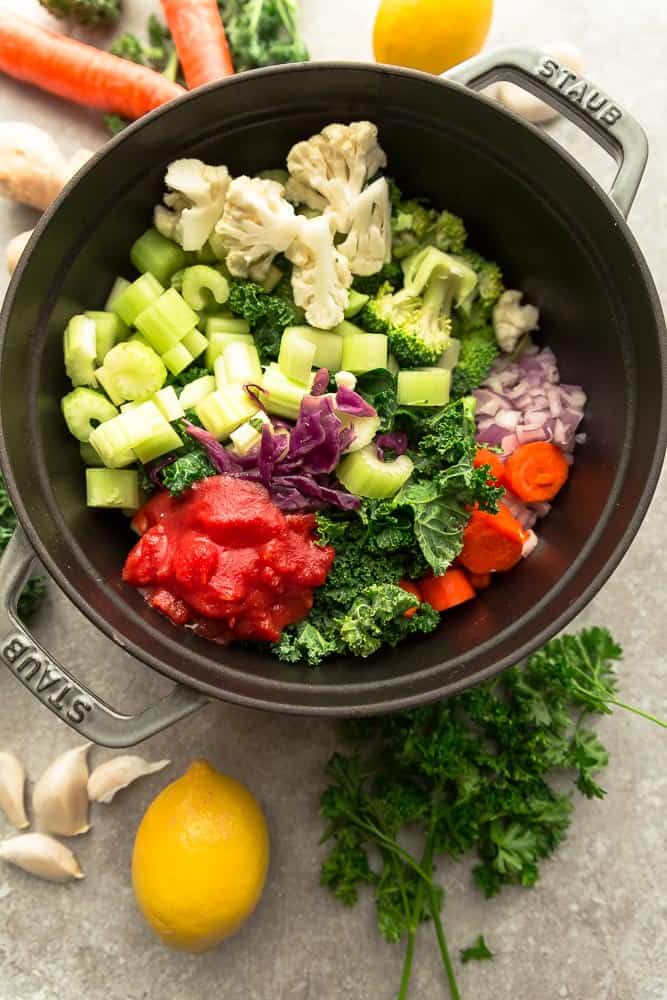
[(561, 239)]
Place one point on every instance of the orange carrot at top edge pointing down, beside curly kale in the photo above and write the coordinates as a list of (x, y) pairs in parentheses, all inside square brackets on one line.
[(200, 40)]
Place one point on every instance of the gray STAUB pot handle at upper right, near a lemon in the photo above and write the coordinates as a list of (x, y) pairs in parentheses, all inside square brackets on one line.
[(576, 98)]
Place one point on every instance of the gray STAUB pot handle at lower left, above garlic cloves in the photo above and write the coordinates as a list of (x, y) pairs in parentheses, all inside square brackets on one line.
[(56, 687)]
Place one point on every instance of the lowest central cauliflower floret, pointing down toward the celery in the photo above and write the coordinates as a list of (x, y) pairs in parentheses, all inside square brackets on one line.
[(321, 275)]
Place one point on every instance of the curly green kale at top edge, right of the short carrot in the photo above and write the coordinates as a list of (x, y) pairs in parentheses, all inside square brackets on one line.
[(262, 32)]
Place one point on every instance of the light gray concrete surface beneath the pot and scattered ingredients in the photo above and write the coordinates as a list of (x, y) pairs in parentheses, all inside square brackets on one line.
[(595, 926)]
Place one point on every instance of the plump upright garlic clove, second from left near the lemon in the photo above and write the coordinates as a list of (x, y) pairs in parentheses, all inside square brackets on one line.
[(60, 798)]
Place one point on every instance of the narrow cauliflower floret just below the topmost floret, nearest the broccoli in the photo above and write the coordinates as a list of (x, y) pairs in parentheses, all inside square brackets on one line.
[(368, 243)]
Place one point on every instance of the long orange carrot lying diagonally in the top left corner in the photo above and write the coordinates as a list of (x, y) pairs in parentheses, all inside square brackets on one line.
[(80, 72)]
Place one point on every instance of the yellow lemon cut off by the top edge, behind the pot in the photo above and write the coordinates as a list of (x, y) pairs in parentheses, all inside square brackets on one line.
[(431, 35)]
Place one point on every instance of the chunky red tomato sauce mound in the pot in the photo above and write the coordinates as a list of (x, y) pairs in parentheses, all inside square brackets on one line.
[(222, 559)]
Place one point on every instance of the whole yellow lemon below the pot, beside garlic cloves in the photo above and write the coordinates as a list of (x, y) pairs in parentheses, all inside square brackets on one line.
[(200, 859)]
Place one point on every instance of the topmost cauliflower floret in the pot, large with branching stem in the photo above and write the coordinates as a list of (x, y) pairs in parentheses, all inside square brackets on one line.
[(330, 169)]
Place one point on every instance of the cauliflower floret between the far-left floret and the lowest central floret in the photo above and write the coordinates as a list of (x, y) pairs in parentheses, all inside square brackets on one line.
[(257, 223)]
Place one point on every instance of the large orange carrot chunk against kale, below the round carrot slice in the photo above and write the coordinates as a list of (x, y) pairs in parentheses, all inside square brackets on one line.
[(492, 542)]
